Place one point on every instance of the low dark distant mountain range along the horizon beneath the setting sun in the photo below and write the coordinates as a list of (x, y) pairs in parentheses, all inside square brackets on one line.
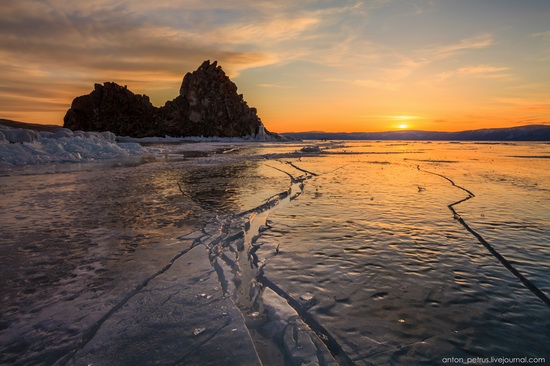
[(521, 133)]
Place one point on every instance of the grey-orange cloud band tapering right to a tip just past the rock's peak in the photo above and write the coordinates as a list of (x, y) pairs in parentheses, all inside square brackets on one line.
[(112, 39)]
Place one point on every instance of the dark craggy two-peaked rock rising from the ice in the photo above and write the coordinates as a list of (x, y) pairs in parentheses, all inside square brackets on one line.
[(208, 105)]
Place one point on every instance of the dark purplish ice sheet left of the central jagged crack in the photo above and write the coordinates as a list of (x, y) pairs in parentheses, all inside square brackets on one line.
[(90, 258)]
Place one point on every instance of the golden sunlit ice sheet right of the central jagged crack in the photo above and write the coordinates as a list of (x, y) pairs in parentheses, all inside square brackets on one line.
[(395, 277)]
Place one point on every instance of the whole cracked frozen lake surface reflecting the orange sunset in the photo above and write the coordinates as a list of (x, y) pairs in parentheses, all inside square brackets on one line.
[(360, 239)]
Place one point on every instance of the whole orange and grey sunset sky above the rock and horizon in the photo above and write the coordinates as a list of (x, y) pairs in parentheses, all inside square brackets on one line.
[(309, 65)]
